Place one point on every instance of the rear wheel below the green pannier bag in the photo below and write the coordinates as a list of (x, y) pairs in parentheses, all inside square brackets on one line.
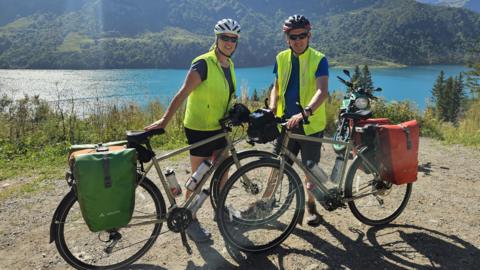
[(84, 249)]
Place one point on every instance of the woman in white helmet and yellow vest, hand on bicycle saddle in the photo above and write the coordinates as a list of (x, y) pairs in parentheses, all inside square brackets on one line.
[(209, 86)]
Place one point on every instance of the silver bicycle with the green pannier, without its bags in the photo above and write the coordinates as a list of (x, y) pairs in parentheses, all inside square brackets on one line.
[(120, 247)]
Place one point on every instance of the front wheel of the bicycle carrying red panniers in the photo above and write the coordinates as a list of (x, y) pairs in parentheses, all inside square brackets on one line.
[(258, 220)]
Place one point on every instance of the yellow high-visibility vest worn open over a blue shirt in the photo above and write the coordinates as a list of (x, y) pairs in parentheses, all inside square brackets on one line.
[(308, 62)]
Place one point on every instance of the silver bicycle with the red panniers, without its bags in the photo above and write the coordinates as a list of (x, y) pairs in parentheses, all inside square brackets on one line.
[(260, 220)]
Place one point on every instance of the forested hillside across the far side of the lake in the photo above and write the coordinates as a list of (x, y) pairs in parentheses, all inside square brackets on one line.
[(167, 33)]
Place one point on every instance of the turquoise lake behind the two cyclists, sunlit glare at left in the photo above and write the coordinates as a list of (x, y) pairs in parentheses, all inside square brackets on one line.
[(412, 83)]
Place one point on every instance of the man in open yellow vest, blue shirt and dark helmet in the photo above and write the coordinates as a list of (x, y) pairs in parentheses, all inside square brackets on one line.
[(301, 75)]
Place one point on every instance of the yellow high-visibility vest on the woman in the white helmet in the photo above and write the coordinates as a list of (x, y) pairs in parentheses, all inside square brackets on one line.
[(210, 101)]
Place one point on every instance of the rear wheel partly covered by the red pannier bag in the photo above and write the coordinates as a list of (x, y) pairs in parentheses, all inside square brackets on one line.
[(374, 202)]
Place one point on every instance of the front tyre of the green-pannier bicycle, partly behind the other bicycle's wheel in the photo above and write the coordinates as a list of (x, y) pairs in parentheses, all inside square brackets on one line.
[(226, 165)]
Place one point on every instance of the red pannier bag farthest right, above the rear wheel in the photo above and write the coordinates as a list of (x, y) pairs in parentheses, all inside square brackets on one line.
[(397, 152)]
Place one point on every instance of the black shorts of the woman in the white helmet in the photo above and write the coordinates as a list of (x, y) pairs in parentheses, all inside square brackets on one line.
[(205, 150)]
